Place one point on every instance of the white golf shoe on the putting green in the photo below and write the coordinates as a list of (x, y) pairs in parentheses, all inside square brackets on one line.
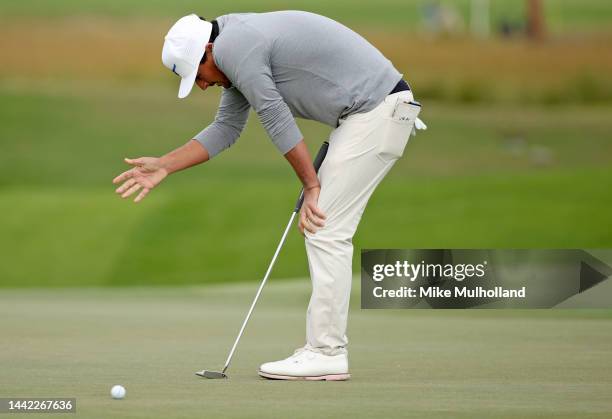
[(305, 364)]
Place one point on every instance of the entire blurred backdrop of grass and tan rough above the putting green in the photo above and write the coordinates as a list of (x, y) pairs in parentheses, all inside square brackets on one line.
[(518, 153)]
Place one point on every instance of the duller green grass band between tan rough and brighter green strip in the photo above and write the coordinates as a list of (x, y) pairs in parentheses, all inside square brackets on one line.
[(76, 134)]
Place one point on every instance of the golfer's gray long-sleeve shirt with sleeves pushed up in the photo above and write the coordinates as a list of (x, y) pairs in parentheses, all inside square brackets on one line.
[(292, 64)]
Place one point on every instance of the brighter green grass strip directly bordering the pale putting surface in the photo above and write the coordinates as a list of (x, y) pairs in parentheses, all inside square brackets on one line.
[(227, 231)]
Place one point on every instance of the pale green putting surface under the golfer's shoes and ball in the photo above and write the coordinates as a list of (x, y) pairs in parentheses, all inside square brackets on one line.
[(412, 363)]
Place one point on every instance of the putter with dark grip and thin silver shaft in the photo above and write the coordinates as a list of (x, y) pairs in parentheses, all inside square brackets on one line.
[(221, 374)]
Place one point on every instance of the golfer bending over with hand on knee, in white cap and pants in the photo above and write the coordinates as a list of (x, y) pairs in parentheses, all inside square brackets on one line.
[(284, 65)]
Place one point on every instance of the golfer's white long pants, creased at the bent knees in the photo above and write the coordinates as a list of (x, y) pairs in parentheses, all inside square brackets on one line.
[(361, 152)]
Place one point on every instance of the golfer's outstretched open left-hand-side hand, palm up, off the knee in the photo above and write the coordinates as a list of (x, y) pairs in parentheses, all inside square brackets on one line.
[(146, 174)]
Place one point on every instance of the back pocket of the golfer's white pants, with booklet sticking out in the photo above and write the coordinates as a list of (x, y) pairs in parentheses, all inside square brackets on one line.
[(396, 130)]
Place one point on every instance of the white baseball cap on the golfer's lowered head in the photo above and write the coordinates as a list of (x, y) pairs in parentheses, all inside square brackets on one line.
[(184, 48)]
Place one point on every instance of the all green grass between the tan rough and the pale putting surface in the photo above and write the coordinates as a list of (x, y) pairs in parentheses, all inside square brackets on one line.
[(477, 178)]
